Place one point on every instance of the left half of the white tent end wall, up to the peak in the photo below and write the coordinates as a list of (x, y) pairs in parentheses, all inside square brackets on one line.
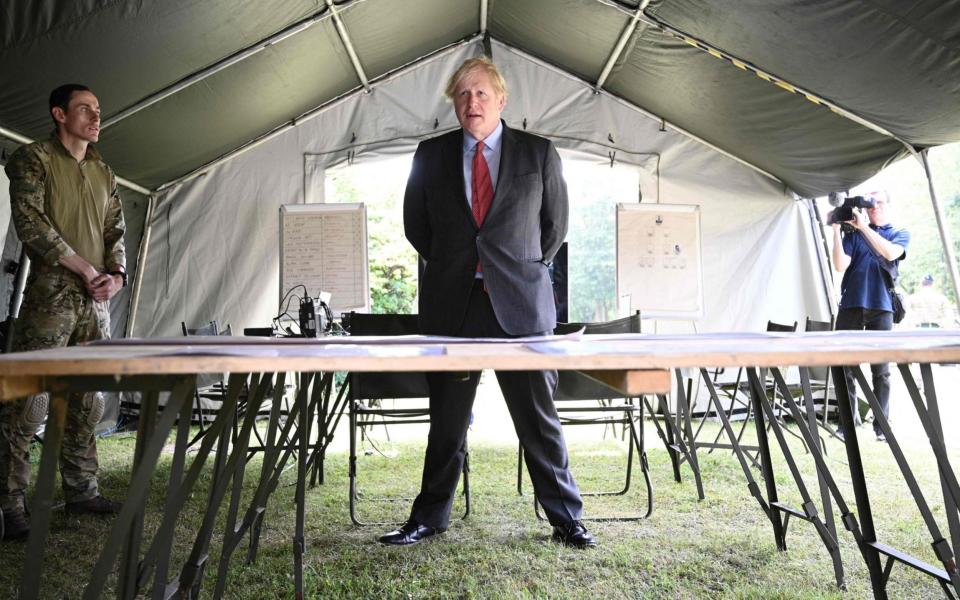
[(214, 245)]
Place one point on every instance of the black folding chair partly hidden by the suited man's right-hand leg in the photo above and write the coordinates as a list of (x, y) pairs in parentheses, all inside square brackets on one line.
[(585, 401)]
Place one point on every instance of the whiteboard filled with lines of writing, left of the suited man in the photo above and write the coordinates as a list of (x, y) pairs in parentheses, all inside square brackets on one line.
[(324, 248)]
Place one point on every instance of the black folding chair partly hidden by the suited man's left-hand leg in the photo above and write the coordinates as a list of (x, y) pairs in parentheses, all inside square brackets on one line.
[(367, 392)]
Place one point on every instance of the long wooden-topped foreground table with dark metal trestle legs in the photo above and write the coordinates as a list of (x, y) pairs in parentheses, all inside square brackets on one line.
[(636, 365)]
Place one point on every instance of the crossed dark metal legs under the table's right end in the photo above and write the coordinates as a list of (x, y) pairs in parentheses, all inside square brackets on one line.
[(862, 529)]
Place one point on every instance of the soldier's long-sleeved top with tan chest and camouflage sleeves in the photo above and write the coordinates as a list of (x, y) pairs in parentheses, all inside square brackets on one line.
[(61, 207)]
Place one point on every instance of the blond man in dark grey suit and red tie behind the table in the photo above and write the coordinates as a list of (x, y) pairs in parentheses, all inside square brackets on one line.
[(486, 208)]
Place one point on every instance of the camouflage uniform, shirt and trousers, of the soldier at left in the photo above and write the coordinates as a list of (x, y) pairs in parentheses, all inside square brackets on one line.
[(59, 207)]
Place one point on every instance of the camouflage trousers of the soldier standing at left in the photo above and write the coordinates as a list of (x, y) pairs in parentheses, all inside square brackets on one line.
[(56, 312)]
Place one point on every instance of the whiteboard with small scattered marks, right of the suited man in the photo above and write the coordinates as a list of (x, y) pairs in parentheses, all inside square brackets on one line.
[(659, 265)]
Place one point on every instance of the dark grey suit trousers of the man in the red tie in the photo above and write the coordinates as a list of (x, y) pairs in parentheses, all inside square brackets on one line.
[(529, 397)]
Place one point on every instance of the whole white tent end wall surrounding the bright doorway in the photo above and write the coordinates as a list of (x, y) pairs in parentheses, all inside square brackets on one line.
[(214, 244)]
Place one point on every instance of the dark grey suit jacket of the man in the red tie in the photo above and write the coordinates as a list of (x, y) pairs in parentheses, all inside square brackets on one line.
[(521, 233)]
